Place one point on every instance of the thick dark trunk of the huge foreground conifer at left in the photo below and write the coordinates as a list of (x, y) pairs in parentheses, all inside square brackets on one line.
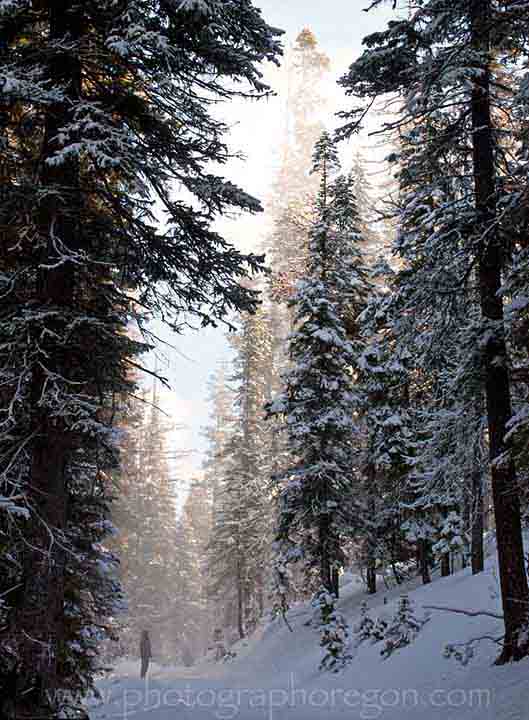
[(41, 614)]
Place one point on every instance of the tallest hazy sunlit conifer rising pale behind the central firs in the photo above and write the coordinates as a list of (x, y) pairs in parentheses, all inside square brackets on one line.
[(291, 209)]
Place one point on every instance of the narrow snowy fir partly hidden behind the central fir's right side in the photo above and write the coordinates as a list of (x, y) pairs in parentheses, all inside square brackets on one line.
[(356, 294)]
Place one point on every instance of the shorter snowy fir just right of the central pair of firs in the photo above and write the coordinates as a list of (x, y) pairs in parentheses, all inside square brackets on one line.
[(388, 428)]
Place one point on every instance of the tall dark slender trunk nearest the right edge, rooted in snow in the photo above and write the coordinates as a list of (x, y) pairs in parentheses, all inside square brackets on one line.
[(504, 486)]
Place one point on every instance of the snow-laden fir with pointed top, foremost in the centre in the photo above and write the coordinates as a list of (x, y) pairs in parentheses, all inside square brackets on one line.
[(317, 507)]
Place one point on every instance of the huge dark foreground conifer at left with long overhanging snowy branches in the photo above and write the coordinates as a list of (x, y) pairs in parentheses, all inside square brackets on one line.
[(106, 107)]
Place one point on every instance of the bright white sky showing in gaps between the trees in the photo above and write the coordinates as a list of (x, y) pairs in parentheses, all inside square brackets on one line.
[(339, 26)]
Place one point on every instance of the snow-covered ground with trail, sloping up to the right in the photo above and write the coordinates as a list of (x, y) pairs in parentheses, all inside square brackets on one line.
[(275, 675)]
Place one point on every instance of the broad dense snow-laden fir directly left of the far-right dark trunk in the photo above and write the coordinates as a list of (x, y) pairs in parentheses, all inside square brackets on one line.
[(436, 316)]
